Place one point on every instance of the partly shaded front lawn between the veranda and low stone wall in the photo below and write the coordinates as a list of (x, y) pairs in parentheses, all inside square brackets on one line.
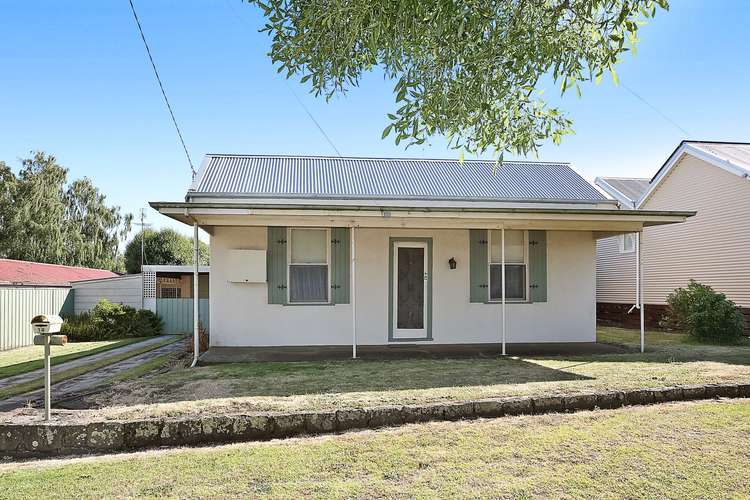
[(327, 385)]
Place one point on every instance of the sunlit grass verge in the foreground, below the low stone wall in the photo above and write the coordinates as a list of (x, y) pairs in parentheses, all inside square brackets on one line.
[(681, 450)]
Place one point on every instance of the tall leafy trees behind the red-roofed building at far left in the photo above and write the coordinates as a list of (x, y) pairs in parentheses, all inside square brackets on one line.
[(43, 220)]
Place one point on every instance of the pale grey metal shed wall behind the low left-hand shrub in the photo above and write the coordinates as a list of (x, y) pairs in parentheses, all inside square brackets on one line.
[(126, 290)]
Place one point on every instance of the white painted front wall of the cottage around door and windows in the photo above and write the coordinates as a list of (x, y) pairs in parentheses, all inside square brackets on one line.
[(241, 316)]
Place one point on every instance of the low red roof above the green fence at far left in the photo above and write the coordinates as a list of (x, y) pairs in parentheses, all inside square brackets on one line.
[(19, 272)]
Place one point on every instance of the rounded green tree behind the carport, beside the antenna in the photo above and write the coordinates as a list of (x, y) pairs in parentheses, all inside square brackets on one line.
[(163, 247)]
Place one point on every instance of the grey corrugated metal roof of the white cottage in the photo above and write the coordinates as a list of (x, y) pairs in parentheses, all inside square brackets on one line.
[(387, 178)]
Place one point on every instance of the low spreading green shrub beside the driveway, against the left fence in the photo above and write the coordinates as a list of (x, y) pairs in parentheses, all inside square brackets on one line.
[(108, 321)]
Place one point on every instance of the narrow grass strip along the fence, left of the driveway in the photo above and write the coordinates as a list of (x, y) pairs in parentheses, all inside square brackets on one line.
[(30, 358)]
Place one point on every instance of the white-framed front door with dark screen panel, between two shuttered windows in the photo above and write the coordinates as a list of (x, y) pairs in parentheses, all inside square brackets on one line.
[(410, 291)]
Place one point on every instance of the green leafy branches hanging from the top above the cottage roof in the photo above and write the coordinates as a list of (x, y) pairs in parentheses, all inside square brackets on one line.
[(465, 69)]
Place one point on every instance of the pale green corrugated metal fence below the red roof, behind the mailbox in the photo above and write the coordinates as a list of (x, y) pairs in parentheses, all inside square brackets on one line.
[(19, 304)]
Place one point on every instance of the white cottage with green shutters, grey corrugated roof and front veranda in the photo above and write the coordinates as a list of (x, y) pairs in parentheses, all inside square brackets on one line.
[(319, 251)]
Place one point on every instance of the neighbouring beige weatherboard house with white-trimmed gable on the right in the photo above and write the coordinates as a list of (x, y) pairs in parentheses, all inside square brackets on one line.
[(711, 178)]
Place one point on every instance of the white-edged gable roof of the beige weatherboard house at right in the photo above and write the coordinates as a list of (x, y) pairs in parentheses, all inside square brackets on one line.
[(734, 157)]
